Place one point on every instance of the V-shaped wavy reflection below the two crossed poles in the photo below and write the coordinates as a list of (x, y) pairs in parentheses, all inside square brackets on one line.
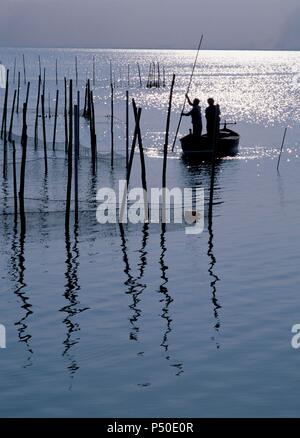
[(133, 286)]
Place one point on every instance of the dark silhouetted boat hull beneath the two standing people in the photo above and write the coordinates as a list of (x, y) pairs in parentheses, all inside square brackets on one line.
[(227, 145)]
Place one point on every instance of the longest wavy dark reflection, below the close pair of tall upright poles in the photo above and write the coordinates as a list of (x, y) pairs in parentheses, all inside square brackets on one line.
[(72, 309)]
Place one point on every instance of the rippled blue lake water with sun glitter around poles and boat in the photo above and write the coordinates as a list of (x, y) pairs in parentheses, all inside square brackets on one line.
[(158, 323)]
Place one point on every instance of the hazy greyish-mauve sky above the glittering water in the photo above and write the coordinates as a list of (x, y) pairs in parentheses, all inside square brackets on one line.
[(229, 24)]
